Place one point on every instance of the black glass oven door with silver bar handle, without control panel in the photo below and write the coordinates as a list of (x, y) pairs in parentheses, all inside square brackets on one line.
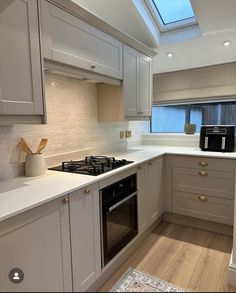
[(119, 226)]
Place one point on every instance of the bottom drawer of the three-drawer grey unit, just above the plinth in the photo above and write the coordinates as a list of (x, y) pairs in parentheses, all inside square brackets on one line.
[(213, 209)]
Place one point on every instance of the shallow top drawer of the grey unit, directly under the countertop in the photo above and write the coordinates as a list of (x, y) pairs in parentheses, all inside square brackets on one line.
[(204, 163)]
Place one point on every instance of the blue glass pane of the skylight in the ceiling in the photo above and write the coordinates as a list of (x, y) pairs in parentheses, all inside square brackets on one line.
[(174, 11)]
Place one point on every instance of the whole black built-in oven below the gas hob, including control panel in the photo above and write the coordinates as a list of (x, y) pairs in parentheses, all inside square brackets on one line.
[(119, 217)]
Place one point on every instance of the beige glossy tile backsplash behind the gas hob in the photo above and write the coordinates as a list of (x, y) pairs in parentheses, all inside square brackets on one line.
[(72, 125)]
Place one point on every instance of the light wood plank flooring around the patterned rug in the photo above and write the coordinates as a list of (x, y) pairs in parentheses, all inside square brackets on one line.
[(190, 258)]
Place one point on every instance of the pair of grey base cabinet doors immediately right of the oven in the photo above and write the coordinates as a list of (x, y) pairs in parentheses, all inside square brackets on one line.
[(150, 179)]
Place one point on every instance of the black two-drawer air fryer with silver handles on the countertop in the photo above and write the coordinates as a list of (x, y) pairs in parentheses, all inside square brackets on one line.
[(218, 138)]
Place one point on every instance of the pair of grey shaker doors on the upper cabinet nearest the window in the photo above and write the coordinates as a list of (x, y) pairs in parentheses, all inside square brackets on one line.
[(137, 82)]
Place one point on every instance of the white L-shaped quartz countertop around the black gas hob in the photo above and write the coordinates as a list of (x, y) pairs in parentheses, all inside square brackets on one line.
[(23, 193)]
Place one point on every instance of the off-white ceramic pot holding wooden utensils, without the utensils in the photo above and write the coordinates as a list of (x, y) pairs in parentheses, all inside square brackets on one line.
[(35, 165)]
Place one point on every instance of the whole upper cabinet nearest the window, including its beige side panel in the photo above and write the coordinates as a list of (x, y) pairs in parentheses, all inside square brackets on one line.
[(135, 98)]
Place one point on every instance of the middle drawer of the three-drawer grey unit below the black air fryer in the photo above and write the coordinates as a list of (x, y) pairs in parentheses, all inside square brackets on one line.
[(218, 184)]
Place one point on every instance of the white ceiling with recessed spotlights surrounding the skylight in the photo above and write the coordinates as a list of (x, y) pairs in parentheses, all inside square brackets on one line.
[(195, 47)]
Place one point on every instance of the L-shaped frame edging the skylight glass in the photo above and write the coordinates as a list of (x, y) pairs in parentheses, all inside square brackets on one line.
[(170, 26)]
